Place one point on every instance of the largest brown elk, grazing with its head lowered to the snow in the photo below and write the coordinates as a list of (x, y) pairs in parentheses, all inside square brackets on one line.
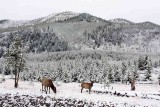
[(47, 84)]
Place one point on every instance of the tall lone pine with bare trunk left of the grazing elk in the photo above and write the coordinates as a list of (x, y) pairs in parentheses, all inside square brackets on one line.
[(14, 58)]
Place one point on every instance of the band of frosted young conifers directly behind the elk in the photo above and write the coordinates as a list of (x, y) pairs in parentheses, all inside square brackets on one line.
[(81, 66)]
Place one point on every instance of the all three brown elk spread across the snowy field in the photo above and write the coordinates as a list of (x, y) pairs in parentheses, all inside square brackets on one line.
[(47, 84)]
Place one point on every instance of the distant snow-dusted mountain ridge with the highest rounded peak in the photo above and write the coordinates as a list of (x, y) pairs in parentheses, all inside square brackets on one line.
[(63, 17)]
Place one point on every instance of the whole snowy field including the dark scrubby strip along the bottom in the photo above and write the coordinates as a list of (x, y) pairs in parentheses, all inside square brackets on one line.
[(68, 94)]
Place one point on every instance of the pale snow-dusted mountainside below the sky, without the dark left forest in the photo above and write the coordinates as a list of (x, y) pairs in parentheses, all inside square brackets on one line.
[(83, 31)]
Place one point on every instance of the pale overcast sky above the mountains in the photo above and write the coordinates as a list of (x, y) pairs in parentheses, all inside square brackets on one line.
[(133, 10)]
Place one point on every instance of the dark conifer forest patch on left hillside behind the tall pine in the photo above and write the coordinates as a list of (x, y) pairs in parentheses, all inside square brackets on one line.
[(35, 40)]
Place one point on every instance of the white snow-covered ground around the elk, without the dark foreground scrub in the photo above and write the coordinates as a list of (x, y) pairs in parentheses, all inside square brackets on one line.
[(117, 94)]
